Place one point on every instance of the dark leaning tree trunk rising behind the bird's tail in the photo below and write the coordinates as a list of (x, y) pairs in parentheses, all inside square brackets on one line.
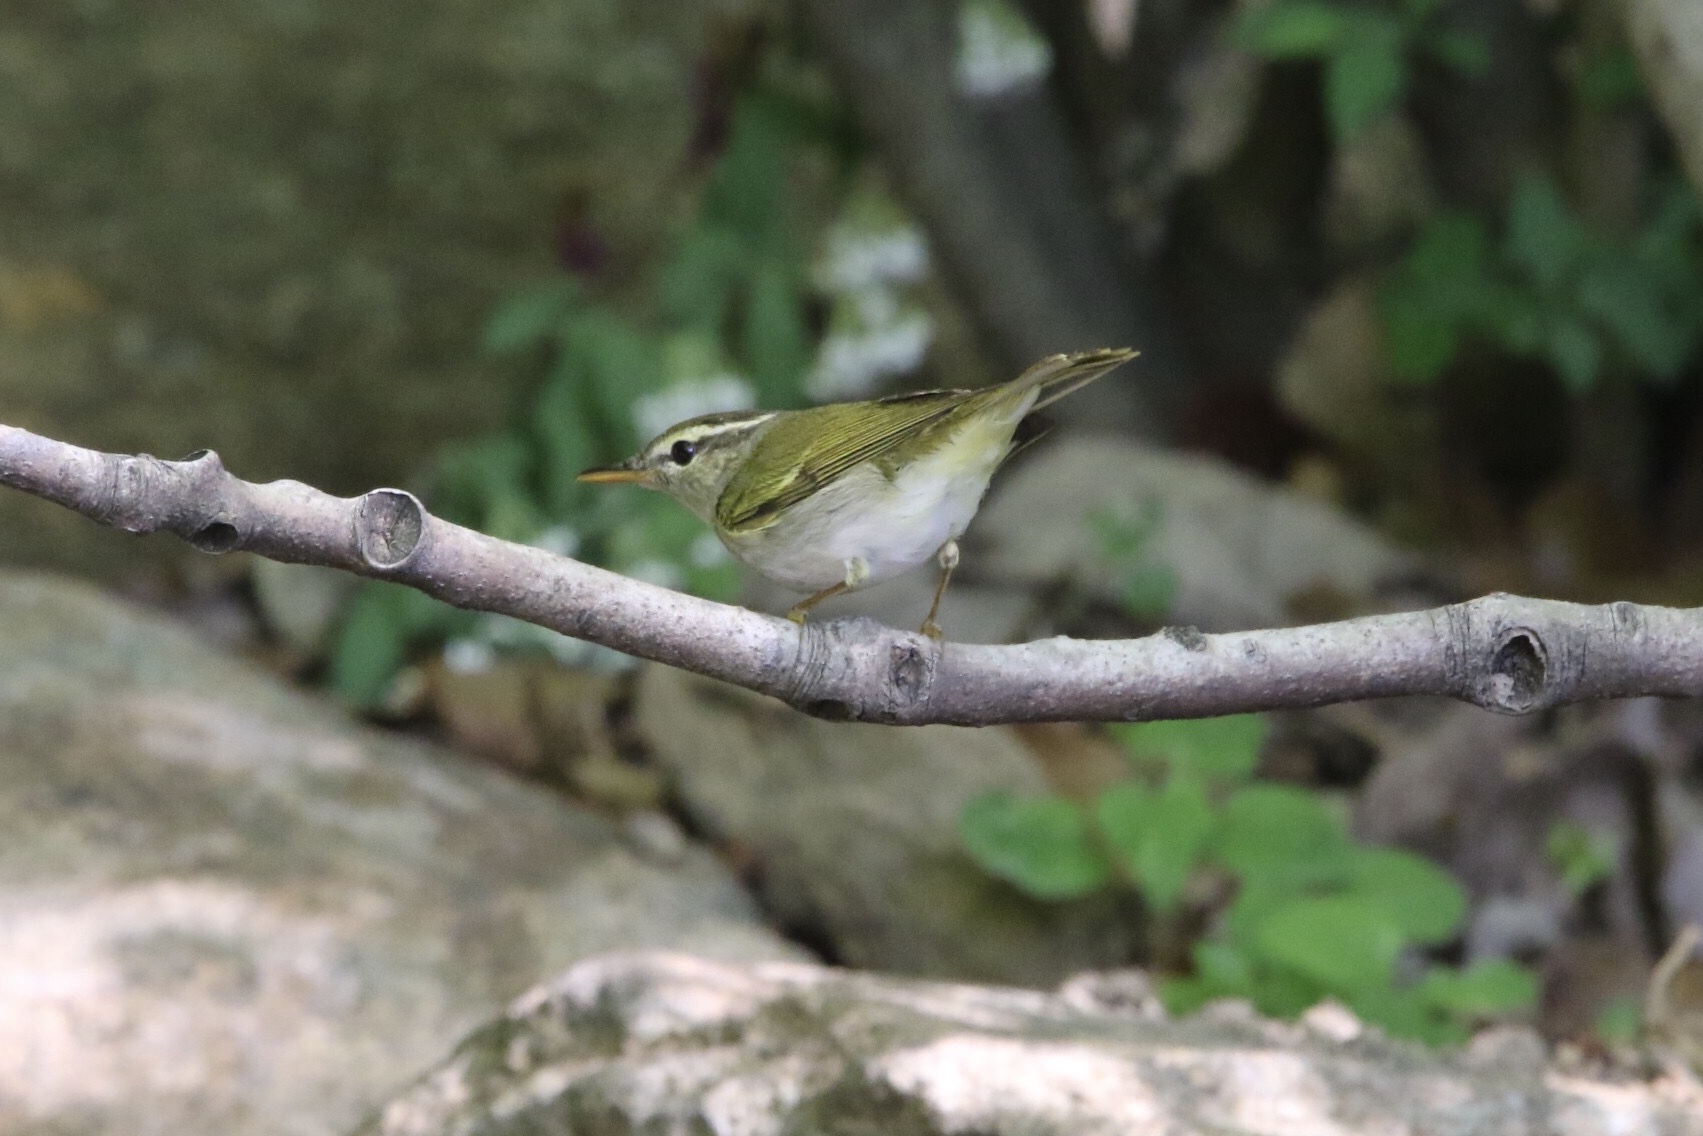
[(1004, 200)]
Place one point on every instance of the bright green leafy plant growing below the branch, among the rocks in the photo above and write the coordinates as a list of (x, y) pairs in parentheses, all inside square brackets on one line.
[(1314, 915)]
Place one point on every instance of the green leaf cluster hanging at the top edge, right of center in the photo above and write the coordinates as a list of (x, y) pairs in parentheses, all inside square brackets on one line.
[(1368, 52)]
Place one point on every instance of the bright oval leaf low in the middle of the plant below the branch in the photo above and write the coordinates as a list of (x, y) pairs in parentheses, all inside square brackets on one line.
[(1338, 941)]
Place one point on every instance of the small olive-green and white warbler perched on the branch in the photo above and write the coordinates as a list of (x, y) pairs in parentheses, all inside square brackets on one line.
[(849, 495)]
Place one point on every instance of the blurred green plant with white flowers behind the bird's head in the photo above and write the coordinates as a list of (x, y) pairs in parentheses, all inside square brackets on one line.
[(725, 324)]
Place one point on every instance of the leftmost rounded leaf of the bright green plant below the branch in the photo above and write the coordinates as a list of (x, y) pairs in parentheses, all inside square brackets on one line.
[(1040, 844)]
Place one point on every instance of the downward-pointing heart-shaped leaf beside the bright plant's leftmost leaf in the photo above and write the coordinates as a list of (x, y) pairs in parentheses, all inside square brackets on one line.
[(1157, 834)]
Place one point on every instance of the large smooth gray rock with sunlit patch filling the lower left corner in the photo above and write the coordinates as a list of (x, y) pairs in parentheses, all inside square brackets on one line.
[(226, 909)]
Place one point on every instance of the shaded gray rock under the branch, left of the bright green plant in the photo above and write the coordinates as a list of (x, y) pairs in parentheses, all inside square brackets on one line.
[(854, 834)]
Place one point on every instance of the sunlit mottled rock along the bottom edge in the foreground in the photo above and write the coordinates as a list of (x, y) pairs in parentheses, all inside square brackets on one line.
[(662, 1043)]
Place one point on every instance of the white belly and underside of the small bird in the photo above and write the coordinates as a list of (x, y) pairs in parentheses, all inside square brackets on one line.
[(864, 529)]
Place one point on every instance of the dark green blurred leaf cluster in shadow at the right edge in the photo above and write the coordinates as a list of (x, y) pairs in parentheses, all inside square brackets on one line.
[(1552, 287)]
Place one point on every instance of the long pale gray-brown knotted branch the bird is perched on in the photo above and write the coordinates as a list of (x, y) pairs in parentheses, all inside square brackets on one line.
[(1503, 653)]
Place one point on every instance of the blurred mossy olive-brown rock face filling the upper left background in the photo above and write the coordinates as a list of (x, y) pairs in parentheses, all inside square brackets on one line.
[(278, 229)]
